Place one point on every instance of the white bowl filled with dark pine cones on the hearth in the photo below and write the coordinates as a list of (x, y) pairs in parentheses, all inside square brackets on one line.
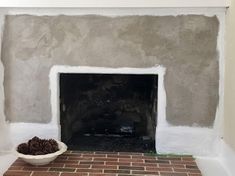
[(40, 151)]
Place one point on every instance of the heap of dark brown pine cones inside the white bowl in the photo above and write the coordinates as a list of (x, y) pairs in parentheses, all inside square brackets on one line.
[(37, 146)]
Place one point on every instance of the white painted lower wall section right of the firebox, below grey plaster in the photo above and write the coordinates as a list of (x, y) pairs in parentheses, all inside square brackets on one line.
[(187, 140)]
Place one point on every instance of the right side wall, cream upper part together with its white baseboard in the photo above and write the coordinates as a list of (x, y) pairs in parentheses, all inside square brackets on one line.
[(227, 156)]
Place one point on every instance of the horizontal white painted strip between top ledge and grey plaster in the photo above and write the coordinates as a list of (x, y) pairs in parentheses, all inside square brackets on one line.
[(114, 11)]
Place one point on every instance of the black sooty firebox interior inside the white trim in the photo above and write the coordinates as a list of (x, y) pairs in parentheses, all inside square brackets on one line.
[(111, 112)]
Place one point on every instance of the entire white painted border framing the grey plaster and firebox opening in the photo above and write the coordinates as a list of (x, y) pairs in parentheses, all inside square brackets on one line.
[(169, 139)]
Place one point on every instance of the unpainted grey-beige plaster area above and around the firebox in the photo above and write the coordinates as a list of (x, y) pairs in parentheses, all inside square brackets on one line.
[(185, 45)]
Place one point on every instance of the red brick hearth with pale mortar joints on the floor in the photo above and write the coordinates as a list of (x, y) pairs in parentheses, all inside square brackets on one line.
[(75, 163)]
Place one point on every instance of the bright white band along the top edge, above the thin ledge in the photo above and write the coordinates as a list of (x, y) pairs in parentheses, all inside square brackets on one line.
[(114, 3)]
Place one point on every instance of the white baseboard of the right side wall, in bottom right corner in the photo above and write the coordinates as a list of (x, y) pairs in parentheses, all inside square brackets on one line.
[(227, 158)]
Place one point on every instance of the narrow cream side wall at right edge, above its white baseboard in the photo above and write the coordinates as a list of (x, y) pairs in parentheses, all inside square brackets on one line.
[(229, 113)]
